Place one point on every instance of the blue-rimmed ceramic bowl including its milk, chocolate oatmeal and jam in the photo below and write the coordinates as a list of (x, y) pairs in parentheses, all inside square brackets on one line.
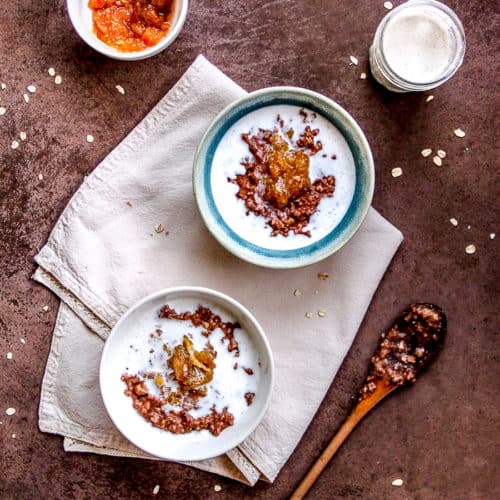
[(283, 177)]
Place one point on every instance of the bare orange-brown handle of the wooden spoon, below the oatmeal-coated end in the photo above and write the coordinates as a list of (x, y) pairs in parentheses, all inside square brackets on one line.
[(361, 409)]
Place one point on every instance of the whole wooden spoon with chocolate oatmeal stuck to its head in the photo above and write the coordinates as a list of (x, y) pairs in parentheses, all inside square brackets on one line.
[(407, 348)]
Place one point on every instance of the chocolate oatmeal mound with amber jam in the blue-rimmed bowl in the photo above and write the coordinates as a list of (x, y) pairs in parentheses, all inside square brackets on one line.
[(276, 184)]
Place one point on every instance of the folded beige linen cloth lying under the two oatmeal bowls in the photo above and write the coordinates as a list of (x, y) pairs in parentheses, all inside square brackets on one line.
[(104, 254)]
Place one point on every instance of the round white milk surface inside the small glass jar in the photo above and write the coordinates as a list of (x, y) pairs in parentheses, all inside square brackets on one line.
[(418, 45)]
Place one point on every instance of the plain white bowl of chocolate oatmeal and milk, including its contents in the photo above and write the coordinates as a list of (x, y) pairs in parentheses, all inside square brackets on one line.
[(186, 374)]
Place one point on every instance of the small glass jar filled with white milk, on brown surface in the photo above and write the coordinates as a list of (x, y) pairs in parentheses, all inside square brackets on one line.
[(417, 46)]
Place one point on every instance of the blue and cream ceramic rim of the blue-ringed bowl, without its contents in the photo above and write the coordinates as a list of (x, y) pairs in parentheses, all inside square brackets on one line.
[(362, 165)]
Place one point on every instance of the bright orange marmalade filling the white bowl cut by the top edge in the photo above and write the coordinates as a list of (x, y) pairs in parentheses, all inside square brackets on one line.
[(132, 25)]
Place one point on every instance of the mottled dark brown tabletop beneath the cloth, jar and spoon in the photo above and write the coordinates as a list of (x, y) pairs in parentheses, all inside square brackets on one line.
[(441, 436)]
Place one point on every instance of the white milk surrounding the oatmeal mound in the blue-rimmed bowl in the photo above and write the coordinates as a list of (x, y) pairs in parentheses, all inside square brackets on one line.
[(231, 151)]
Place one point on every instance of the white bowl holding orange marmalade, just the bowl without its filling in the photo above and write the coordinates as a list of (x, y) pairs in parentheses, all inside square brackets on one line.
[(81, 17)]
